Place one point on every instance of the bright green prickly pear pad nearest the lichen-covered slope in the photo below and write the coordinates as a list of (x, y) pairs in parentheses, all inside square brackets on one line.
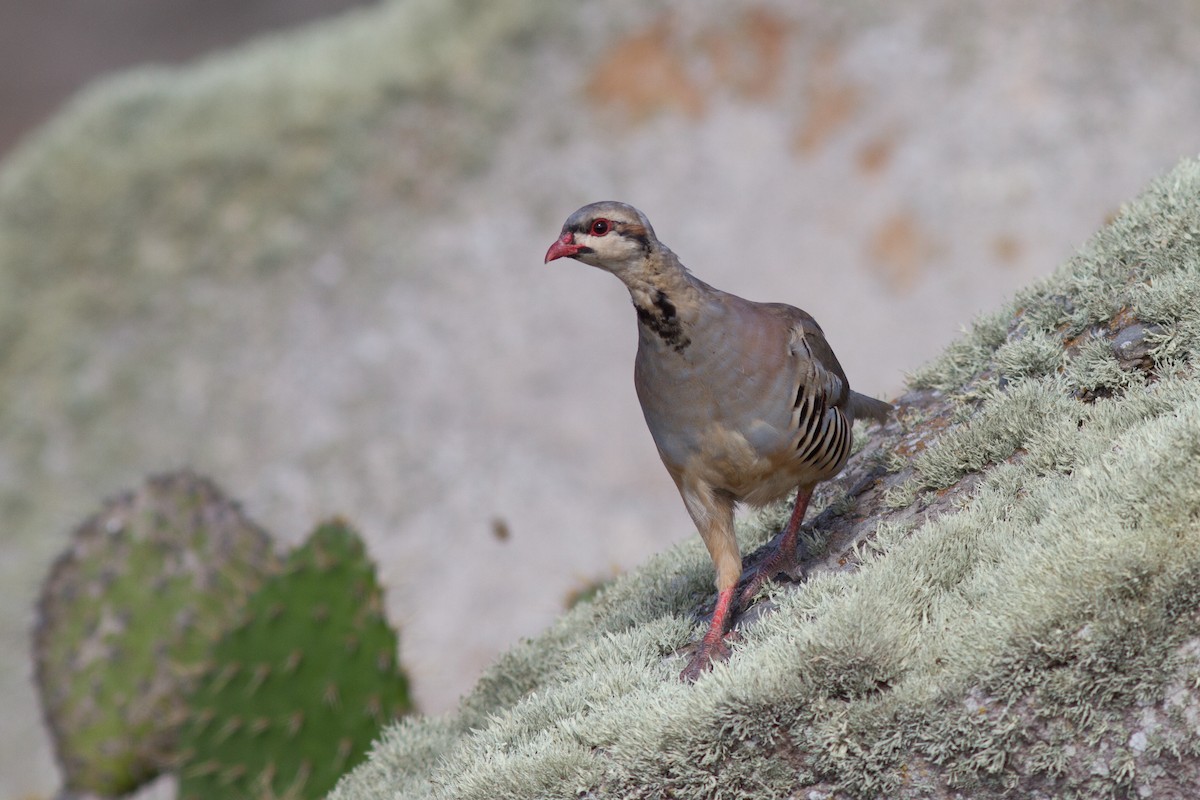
[(298, 693)]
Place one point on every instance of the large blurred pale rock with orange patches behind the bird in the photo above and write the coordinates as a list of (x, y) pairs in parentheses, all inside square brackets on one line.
[(311, 267)]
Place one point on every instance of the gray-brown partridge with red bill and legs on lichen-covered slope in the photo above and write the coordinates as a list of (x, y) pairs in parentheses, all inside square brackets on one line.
[(746, 401)]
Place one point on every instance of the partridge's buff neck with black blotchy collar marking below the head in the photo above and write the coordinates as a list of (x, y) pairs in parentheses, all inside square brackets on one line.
[(667, 299)]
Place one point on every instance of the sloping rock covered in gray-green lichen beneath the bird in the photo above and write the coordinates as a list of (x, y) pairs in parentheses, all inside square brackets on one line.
[(1024, 618)]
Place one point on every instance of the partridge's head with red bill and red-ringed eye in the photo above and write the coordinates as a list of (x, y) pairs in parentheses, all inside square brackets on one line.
[(611, 236)]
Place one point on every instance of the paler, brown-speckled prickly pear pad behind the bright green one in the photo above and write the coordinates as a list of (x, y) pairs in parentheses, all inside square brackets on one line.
[(125, 622)]
